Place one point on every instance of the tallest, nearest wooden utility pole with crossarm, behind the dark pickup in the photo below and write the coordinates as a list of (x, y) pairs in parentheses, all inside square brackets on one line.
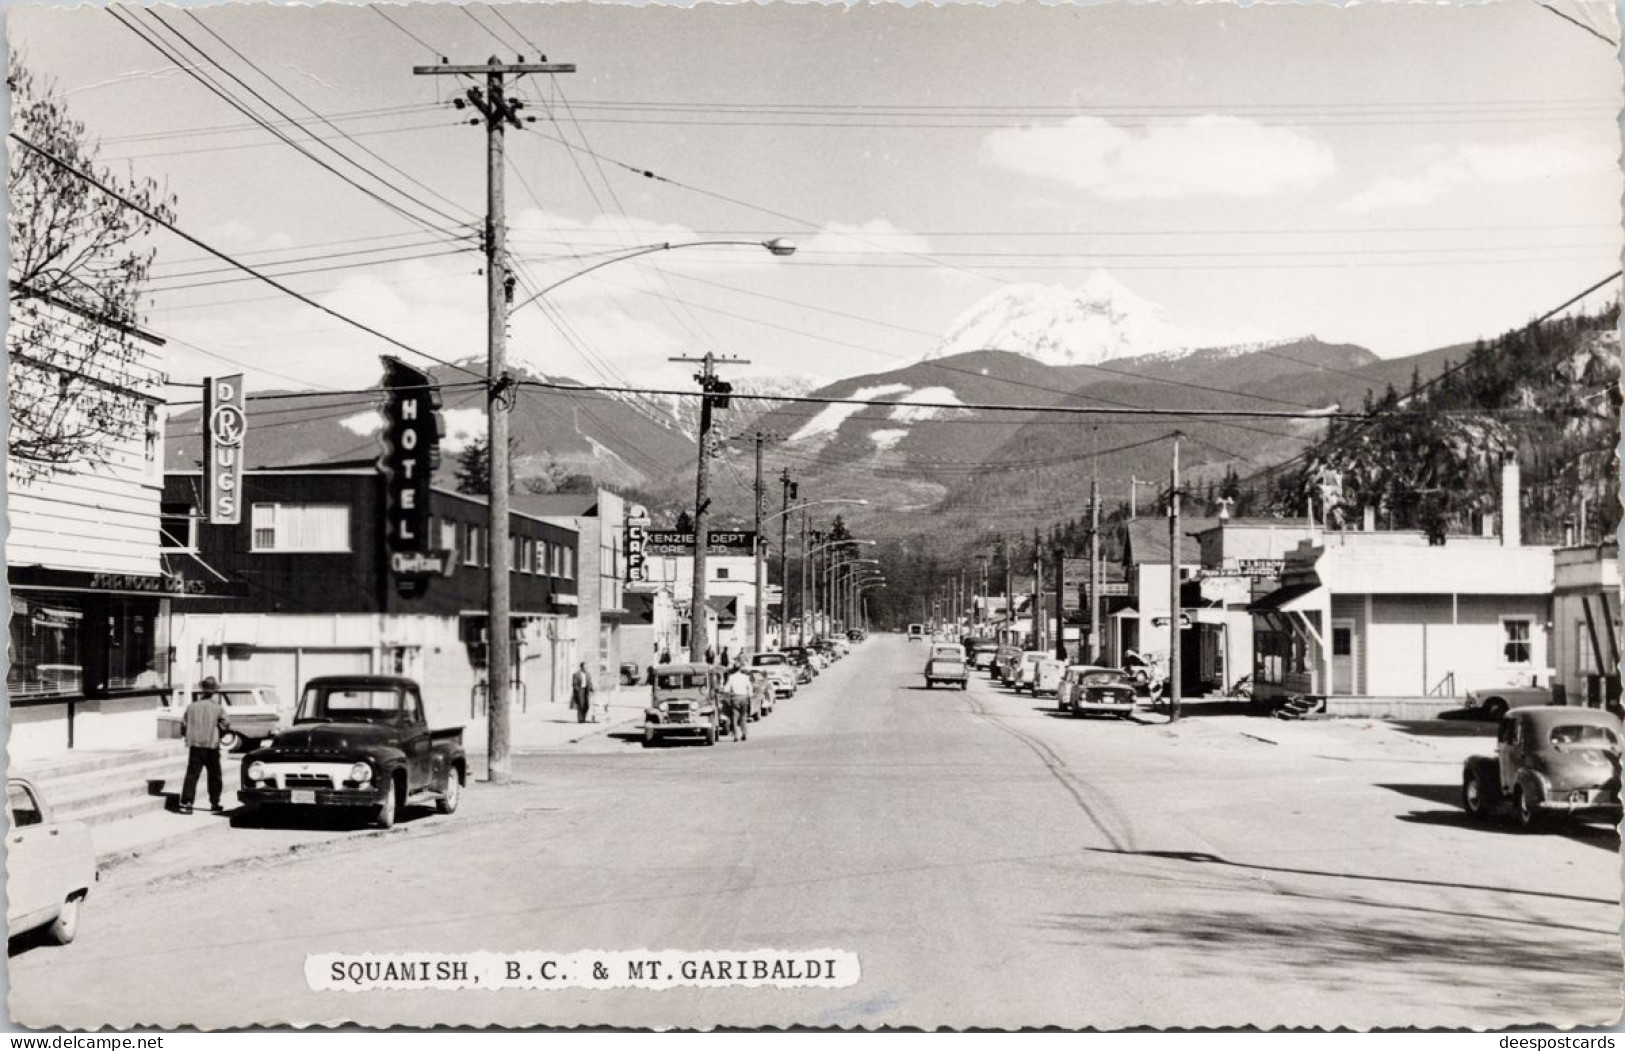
[(498, 113)]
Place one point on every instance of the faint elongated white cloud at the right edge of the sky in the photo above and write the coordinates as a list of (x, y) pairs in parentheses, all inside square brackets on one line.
[(1444, 171)]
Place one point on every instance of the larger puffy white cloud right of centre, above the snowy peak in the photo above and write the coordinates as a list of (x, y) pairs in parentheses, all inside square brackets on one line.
[(1198, 157)]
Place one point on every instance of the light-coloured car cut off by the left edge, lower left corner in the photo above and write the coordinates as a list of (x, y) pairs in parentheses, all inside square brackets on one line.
[(50, 867)]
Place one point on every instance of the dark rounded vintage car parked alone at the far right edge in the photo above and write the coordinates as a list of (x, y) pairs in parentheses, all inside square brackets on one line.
[(1549, 761)]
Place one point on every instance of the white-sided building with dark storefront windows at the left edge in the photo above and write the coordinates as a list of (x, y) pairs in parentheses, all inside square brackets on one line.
[(89, 586)]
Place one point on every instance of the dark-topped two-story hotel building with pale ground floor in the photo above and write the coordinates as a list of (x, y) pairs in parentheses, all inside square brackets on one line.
[(319, 595)]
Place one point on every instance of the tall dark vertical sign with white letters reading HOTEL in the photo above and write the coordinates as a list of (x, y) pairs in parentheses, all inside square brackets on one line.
[(412, 451)]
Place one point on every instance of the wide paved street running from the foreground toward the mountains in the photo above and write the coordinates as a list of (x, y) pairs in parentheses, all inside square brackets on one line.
[(989, 862)]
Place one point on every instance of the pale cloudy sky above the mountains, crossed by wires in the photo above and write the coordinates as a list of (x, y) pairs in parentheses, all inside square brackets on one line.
[(1397, 176)]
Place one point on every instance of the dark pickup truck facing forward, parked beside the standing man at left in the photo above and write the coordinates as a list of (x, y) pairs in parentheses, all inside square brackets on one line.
[(362, 743)]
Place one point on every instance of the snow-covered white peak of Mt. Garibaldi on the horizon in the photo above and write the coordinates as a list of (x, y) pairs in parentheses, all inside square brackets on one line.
[(1091, 324)]
